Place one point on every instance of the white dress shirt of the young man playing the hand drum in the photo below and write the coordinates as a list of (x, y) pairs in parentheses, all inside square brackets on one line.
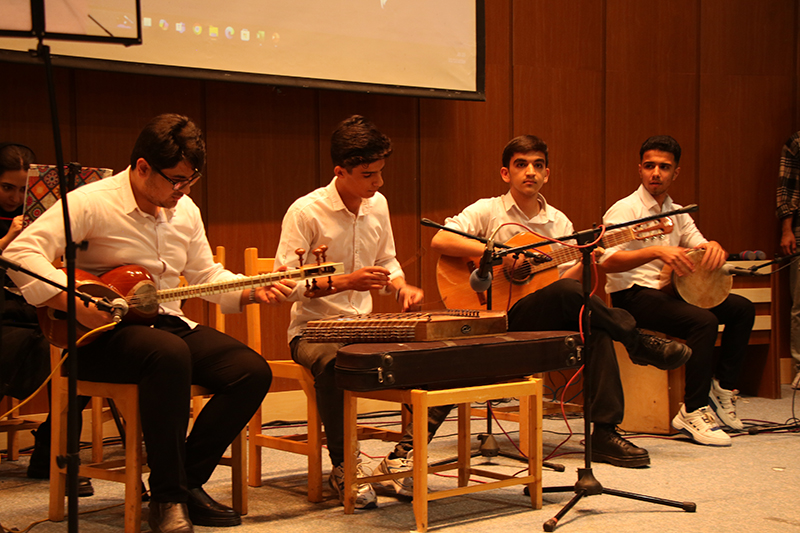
[(638, 205)]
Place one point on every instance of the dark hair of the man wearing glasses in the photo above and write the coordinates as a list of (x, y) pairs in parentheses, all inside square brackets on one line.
[(169, 139)]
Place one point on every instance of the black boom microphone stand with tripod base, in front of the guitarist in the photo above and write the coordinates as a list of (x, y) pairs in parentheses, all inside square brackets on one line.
[(587, 484)]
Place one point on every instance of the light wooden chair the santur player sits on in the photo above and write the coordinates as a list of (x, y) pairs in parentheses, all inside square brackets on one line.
[(309, 443)]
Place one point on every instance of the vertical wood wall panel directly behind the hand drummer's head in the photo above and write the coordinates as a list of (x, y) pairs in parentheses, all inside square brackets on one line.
[(651, 89)]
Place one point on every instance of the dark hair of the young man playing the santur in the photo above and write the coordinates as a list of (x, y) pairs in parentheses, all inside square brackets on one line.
[(356, 141)]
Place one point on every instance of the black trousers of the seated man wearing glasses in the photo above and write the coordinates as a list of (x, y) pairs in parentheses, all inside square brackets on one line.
[(165, 361)]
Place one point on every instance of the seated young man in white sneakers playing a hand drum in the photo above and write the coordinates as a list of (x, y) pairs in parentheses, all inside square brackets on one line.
[(634, 285)]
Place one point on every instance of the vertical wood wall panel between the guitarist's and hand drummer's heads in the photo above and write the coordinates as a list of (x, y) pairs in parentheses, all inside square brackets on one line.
[(558, 95)]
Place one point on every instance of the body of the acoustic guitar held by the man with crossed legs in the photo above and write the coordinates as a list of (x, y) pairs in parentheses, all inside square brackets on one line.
[(508, 285)]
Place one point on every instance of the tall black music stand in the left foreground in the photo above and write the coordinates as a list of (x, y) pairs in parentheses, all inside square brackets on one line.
[(39, 31)]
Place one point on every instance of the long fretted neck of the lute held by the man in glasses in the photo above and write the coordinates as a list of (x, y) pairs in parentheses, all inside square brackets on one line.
[(261, 280)]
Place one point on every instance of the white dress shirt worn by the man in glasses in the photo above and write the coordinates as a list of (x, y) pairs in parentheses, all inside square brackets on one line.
[(106, 216)]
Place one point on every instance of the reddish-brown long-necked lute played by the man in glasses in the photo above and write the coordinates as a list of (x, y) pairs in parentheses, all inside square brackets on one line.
[(135, 284)]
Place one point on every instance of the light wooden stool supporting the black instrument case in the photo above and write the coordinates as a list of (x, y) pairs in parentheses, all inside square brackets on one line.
[(529, 391)]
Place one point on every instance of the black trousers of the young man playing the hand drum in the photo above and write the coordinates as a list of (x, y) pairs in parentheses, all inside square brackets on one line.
[(663, 312)]
